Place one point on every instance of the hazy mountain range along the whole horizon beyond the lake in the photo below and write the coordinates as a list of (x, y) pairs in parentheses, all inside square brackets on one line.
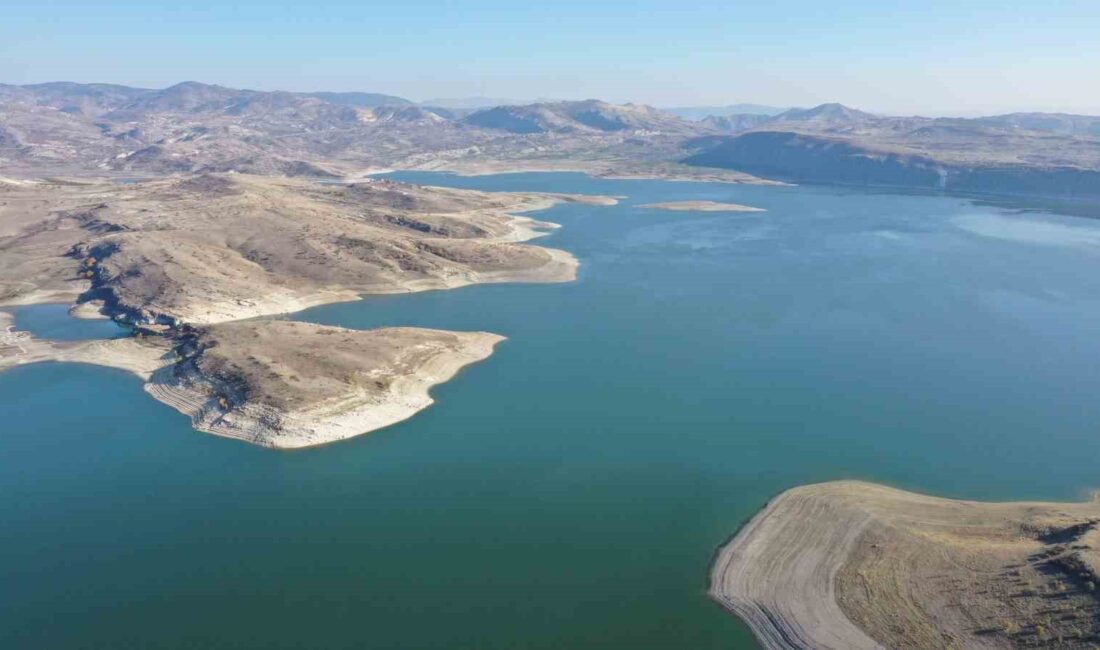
[(195, 127)]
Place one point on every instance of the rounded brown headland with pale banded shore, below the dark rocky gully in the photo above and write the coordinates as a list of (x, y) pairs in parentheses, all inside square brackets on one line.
[(291, 384)]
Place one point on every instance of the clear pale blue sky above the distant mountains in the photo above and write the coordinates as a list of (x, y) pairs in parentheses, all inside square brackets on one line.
[(905, 58)]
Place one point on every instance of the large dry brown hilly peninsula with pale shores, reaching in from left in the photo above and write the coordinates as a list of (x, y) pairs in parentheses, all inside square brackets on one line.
[(197, 266)]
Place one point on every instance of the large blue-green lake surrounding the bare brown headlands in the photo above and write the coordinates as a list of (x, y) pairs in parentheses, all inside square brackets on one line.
[(569, 492)]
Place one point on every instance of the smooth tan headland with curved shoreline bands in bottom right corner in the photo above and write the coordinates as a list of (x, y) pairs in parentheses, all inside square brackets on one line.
[(852, 566)]
